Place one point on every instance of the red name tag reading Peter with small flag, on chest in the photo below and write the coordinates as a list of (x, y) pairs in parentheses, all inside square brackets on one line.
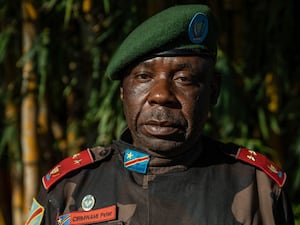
[(88, 217)]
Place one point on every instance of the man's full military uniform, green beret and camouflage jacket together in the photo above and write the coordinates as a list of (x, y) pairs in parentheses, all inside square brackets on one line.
[(210, 184)]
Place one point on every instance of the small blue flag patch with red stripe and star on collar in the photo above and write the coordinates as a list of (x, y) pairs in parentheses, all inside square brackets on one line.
[(136, 161)]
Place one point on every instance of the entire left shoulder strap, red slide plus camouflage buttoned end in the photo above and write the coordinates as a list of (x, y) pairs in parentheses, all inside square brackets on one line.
[(73, 163)]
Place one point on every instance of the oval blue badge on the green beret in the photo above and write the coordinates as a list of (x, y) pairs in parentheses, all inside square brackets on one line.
[(198, 28)]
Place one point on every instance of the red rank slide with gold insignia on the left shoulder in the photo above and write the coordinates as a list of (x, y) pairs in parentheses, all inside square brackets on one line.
[(66, 166)]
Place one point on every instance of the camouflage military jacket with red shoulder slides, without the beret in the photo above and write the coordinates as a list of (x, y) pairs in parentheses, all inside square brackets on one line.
[(224, 185)]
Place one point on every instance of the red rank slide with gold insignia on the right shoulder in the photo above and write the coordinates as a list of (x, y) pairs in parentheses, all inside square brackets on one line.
[(262, 162)]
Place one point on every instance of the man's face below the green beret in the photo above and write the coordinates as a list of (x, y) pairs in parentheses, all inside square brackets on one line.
[(166, 102)]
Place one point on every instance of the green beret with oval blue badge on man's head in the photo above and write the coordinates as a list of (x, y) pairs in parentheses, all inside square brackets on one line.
[(176, 29)]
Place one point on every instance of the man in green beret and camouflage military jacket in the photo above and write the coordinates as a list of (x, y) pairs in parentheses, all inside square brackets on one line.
[(163, 170)]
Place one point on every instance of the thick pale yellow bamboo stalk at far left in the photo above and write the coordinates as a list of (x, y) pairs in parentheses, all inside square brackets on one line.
[(29, 143)]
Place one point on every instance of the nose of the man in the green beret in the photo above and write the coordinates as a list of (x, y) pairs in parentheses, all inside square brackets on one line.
[(162, 93)]
